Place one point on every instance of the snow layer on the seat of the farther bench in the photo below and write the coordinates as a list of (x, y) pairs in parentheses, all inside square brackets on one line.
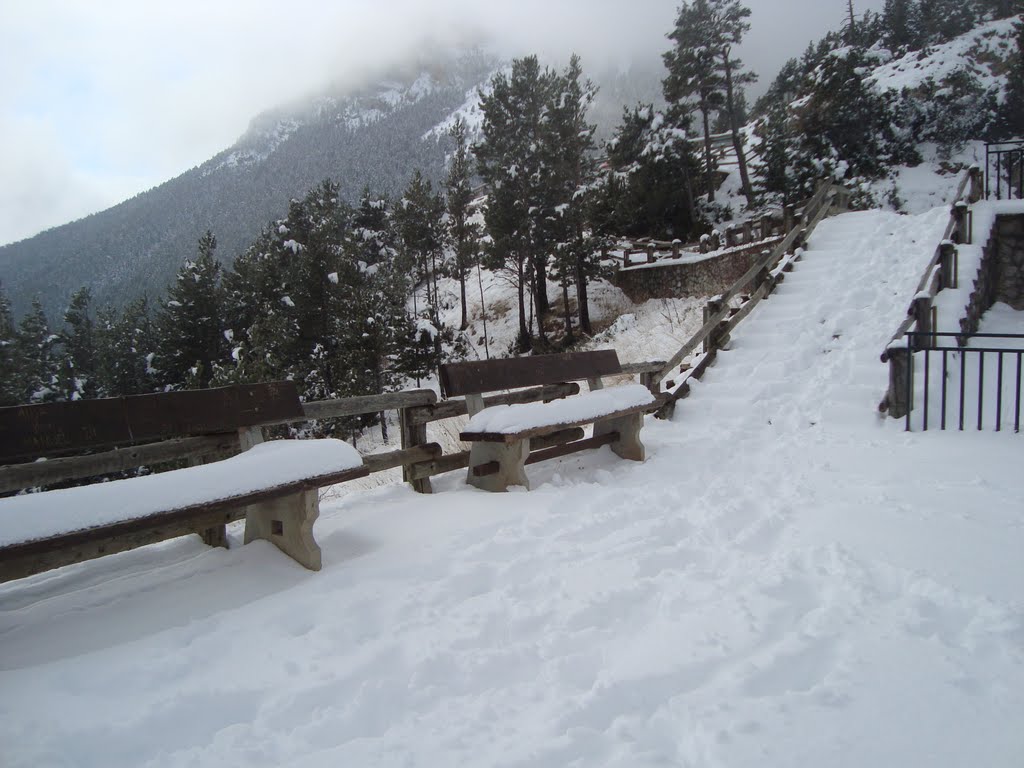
[(581, 409)]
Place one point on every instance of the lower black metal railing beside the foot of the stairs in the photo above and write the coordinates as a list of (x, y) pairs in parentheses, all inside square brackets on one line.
[(985, 381)]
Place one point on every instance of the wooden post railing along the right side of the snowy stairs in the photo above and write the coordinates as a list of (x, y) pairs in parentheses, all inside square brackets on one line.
[(943, 272)]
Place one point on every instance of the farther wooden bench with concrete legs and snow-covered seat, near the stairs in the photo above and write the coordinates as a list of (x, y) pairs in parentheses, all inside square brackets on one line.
[(503, 438)]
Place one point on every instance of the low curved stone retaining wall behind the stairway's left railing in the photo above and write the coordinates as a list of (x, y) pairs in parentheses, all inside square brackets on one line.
[(668, 281)]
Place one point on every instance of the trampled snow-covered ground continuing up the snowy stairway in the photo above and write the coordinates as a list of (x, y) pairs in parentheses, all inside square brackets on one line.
[(789, 580)]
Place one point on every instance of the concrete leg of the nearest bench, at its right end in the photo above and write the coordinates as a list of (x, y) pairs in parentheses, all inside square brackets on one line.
[(288, 524)]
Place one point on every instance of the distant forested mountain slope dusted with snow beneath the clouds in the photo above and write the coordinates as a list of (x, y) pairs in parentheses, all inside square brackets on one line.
[(373, 138)]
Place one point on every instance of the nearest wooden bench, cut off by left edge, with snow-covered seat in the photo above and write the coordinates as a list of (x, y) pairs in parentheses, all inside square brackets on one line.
[(273, 486)]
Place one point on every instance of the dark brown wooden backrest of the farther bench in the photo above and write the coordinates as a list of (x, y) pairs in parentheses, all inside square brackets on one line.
[(515, 373)]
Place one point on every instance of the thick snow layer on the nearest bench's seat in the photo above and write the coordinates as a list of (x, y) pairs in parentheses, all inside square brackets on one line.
[(268, 465)]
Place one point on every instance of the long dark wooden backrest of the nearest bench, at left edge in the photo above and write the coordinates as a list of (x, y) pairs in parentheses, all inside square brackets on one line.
[(55, 429)]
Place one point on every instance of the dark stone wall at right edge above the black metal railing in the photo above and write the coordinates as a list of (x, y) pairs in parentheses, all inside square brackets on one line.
[(1001, 276)]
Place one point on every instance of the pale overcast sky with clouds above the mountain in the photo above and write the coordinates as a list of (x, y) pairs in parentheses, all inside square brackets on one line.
[(103, 100)]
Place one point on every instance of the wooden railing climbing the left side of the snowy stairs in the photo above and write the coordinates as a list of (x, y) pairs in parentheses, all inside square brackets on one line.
[(721, 318)]
